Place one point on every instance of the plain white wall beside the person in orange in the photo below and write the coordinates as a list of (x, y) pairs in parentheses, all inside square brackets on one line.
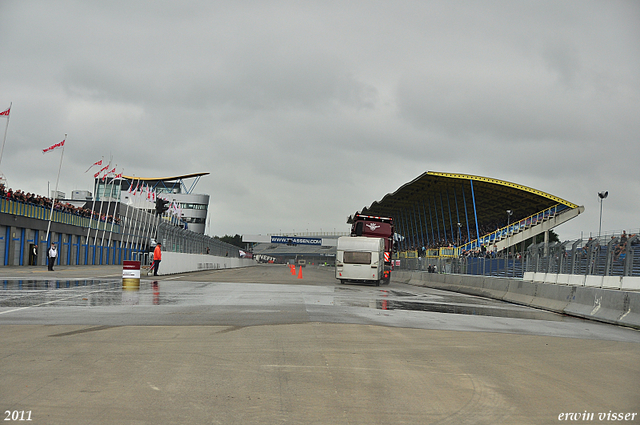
[(177, 262)]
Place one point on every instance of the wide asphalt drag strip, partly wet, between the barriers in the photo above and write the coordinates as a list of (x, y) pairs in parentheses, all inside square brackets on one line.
[(259, 345)]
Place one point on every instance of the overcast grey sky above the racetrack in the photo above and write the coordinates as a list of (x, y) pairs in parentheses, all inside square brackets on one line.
[(306, 111)]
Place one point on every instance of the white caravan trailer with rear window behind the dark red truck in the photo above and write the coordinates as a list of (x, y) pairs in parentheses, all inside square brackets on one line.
[(360, 259)]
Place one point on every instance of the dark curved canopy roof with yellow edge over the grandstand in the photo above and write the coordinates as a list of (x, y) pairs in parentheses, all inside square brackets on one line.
[(444, 199)]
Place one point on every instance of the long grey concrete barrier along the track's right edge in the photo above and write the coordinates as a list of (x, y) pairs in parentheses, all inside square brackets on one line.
[(619, 307)]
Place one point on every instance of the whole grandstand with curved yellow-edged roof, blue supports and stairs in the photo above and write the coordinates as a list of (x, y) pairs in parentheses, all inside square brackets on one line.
[(450, 213)]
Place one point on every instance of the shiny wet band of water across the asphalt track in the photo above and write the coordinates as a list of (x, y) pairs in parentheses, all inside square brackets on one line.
[(99, 293)]
